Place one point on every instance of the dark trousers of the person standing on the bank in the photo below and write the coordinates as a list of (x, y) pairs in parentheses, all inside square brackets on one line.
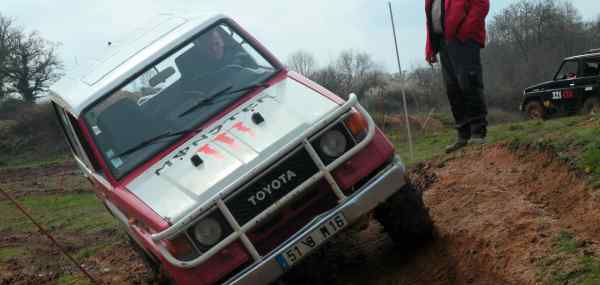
[(463, 75)]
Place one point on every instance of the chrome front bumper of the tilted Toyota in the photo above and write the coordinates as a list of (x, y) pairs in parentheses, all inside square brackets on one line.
[(363, 201)]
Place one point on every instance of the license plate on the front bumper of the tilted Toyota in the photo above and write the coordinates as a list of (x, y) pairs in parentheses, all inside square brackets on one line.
[(296, 252)]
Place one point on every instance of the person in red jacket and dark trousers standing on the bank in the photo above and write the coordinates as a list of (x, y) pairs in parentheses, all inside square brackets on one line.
[(456, 31)]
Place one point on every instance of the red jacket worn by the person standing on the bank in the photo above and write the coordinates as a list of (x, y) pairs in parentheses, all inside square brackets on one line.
[(464, 19)]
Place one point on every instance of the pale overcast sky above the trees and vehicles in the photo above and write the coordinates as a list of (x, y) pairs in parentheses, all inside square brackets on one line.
[(321, 27)]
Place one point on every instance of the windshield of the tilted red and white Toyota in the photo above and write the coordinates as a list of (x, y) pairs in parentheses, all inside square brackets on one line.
[(194, 83)]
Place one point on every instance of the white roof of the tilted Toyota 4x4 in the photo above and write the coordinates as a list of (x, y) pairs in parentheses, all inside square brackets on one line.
[(79, 89)]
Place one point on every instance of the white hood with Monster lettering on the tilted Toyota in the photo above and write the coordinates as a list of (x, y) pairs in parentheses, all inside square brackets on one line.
[(229, 149)]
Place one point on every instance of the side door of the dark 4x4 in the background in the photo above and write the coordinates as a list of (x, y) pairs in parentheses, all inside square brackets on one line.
[(563, 91)]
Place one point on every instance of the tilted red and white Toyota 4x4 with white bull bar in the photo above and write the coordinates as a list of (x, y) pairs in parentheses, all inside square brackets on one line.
[(224, 166)]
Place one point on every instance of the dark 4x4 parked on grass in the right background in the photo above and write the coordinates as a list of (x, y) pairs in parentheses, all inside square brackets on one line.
[(575, 88)]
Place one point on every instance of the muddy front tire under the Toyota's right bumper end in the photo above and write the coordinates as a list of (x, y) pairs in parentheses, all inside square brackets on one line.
[(405, 218)]
